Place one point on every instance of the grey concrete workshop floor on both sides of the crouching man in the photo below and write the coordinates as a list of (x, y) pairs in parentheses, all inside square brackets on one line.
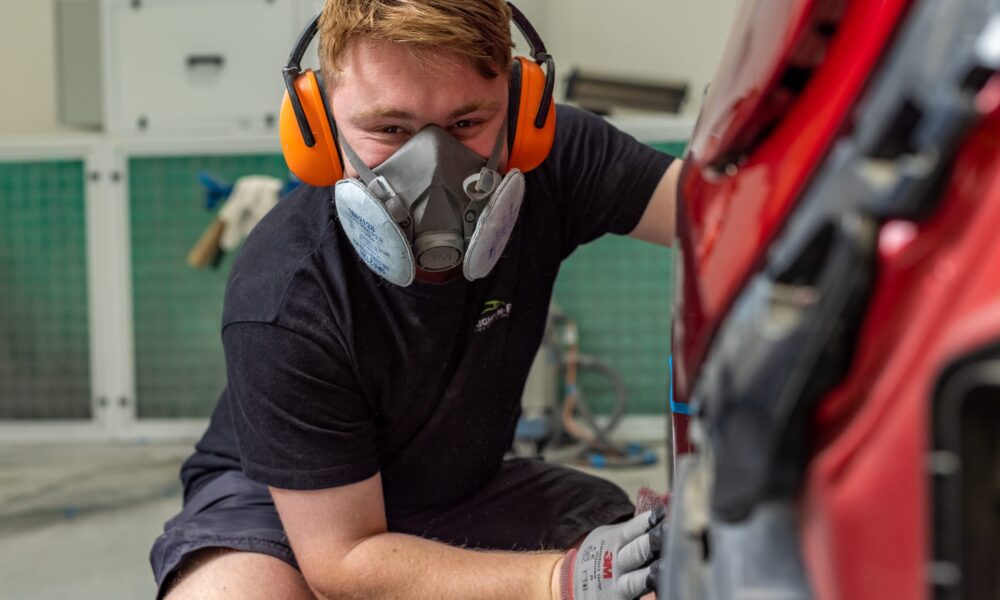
[(77, 521)]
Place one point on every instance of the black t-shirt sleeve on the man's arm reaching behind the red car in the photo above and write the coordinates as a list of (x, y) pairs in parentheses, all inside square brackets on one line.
[(604, 177)]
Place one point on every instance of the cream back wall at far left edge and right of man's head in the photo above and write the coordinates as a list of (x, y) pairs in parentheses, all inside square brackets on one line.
[(665, 39)]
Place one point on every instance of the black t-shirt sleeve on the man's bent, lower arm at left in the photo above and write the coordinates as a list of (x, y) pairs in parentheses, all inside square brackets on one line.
[(300, 420)]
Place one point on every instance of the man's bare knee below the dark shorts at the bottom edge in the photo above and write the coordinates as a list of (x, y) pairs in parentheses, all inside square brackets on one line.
[(217, 573)]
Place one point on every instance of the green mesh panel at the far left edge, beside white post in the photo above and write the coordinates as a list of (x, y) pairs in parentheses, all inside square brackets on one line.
[(44, 331)]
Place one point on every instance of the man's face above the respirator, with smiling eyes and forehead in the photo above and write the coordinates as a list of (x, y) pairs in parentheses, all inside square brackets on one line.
[(385, 94)]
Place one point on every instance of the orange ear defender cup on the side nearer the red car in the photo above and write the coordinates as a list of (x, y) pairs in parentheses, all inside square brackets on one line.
[(528, 145)]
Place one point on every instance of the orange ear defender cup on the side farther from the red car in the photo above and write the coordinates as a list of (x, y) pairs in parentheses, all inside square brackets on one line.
[(319, 165)]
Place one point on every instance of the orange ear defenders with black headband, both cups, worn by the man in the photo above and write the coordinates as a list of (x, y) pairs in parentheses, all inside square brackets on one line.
[(309, 134)]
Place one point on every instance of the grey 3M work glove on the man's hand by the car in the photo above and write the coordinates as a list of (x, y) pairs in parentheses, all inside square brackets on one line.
[(616, 562)]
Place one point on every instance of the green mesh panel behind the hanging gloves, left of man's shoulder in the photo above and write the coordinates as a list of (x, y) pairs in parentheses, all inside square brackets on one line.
[(180, 368)]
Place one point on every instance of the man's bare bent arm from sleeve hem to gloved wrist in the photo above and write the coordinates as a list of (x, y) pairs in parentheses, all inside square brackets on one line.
[(341, 542)]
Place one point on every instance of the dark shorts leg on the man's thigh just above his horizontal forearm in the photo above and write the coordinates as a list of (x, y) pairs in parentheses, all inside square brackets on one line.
[(529, 505)]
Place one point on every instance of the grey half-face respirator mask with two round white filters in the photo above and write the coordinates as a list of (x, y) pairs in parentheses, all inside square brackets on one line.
[(434, 204)]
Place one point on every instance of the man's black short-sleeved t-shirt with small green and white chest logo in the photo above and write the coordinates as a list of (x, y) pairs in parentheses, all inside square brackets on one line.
[(335, 374)]
